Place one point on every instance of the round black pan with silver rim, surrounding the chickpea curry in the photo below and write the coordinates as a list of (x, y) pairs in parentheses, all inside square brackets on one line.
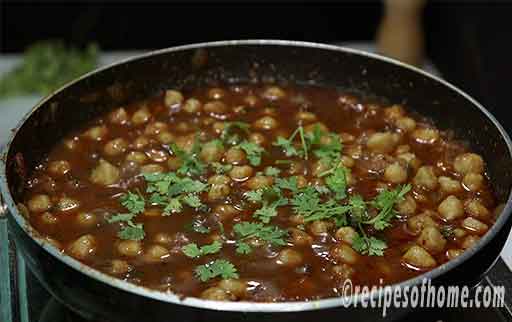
[(96, 295)]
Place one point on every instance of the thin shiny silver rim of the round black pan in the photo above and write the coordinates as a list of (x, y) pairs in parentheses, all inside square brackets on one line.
[(297, 306)]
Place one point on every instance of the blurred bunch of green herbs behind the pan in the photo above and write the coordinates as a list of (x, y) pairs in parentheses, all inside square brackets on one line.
[(46, 66)]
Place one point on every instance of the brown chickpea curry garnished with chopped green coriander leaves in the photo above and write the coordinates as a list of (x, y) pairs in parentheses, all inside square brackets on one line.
[(260, 193)]
